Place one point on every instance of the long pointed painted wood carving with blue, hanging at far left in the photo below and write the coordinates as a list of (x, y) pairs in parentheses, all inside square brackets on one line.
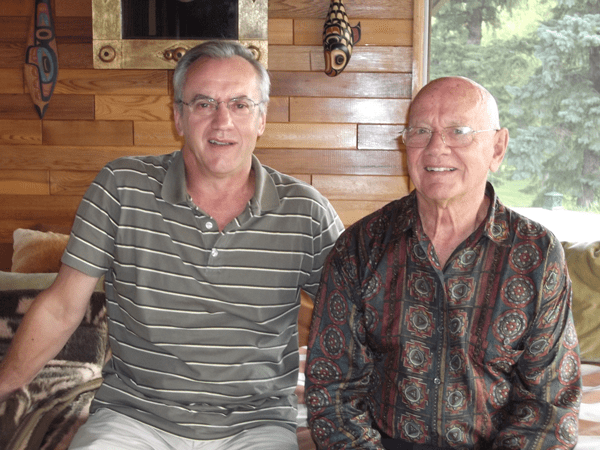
[(41, 57)]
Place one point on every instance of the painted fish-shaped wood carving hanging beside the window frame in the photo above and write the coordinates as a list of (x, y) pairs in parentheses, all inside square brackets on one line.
[(338, 38)]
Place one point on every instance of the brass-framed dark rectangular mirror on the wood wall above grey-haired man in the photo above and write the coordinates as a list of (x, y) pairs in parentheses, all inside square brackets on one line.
[(154, 34)]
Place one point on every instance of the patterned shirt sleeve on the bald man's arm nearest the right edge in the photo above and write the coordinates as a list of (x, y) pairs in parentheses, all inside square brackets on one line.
[(546, 386)]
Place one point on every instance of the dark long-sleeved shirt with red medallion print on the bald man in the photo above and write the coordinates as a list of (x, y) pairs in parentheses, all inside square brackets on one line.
[(479, 354)]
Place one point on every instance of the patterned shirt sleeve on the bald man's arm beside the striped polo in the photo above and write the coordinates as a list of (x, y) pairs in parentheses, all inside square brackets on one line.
[(339, 362)]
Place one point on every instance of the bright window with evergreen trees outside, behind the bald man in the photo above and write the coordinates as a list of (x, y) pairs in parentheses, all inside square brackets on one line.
[(541, 60)]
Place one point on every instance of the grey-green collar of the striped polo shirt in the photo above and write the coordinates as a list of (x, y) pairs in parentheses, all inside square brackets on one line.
[(174, 191)]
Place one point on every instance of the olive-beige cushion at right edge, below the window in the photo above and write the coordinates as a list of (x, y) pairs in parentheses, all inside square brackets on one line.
[(583, 261)]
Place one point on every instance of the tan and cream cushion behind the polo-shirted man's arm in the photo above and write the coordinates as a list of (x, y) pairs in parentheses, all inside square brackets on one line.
[(37, 251)]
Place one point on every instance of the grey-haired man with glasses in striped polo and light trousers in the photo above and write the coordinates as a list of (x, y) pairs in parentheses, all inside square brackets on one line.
[(204, 253)]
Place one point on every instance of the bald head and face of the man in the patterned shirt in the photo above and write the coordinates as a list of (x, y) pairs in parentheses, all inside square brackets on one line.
[(445, 169)]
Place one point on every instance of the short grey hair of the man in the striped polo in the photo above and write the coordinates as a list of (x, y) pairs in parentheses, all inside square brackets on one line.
[(219, 50)]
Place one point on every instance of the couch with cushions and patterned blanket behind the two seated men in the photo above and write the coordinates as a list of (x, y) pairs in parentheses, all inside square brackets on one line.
[(46, 414)]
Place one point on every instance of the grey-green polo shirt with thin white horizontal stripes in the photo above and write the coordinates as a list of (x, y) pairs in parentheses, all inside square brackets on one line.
[(202, 323)]
